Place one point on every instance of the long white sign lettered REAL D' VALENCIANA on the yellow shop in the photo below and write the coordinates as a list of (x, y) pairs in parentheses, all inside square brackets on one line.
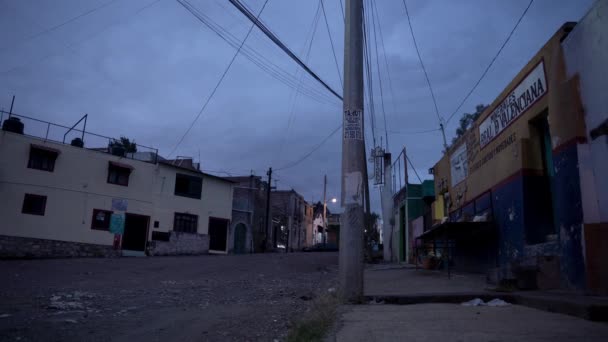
[(523, 96)]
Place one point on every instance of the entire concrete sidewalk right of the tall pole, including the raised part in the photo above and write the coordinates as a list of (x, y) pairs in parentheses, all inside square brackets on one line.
[(434, 311)]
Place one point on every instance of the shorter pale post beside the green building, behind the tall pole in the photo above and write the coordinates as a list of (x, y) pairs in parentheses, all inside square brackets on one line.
[(386, 198)]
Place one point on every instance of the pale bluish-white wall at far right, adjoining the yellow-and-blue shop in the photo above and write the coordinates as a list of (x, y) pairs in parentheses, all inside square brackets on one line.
[(585, 53)]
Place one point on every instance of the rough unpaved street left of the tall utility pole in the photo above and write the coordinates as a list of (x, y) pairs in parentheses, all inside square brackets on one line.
[(205, 298)]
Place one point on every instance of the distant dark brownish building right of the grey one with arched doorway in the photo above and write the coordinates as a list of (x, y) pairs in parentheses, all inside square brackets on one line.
[(288, 218)]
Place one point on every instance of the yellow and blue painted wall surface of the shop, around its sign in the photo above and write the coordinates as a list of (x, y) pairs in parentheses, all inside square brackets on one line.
[(510, 165)]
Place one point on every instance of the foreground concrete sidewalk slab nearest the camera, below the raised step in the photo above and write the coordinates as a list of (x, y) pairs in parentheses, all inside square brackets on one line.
[(452, 322)]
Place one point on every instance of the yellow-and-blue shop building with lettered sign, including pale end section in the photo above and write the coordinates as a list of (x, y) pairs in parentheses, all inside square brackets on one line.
[(521, 185)]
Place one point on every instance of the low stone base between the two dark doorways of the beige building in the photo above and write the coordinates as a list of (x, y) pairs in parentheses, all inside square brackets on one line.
[(180, 244)]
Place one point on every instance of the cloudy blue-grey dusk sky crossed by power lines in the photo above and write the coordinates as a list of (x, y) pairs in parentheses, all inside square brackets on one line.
[(144, 68)]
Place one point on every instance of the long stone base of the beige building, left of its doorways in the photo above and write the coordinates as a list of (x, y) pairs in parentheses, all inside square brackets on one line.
[(14, 247)]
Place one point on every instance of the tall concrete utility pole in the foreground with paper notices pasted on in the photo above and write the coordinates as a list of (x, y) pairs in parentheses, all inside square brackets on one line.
[(353, 163)]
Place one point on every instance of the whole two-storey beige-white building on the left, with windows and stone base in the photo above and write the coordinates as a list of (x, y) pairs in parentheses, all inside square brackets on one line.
[(62, 200)]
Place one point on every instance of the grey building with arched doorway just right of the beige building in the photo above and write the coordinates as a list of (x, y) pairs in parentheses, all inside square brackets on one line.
[(248, 230)]
